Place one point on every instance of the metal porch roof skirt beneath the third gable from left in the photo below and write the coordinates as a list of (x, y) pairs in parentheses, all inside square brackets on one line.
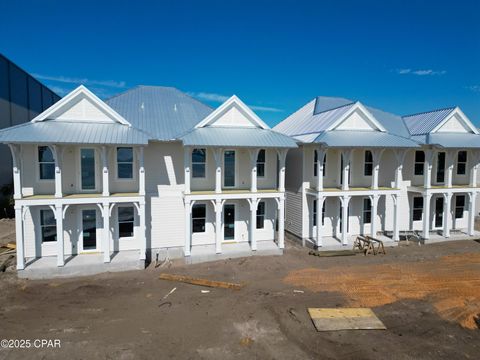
[(347, 138)]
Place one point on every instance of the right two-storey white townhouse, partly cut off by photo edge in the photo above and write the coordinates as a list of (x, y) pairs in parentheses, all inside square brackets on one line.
[(374, 169)]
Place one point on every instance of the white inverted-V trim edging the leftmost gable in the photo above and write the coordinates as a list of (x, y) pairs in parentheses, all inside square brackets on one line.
[(71, 97)]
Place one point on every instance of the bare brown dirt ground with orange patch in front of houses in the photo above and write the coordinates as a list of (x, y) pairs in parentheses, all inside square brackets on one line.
[(426, 296)]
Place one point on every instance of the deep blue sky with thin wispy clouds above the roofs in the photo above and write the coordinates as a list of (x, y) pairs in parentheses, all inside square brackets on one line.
[(399, 56)]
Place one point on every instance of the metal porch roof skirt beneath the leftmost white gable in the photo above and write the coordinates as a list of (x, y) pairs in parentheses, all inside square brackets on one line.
[(60, 132)]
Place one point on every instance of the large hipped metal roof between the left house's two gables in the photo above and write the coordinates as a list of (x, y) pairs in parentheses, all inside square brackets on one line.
[(164, 112)]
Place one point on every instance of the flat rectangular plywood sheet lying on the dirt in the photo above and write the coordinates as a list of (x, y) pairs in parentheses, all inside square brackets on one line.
[(326, 319)]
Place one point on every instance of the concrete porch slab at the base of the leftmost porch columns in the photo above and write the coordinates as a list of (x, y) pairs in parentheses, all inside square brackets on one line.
[(81, 265)]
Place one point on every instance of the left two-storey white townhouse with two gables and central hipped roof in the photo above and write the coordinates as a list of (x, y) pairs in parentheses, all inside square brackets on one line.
[(151, 169)]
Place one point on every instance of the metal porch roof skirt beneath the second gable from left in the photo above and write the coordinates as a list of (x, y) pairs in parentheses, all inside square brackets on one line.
[(237, 137)]
